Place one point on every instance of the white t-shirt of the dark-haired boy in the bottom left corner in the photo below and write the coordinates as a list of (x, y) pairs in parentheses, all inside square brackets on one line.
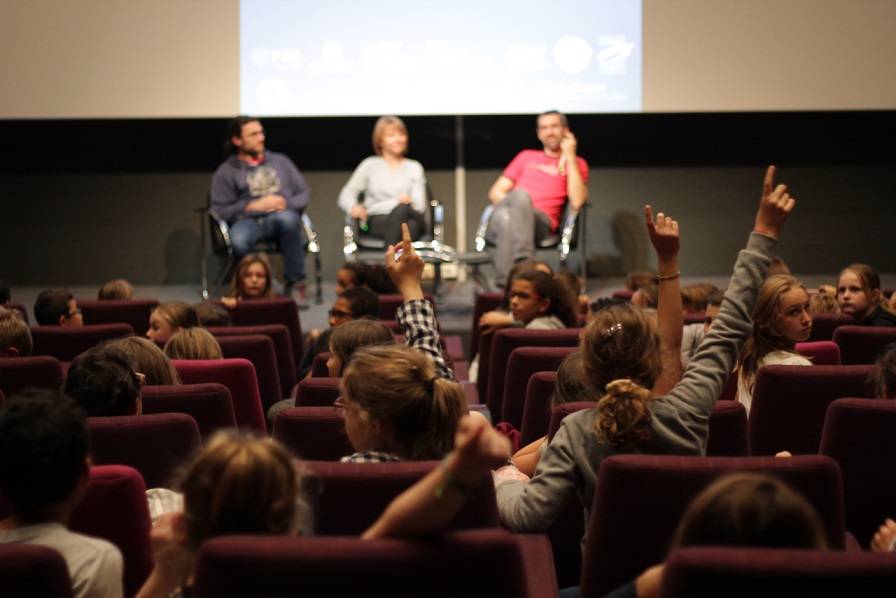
[(94, 565)]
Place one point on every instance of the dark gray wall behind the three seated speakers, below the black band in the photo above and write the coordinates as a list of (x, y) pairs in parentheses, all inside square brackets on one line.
[(87, 228)]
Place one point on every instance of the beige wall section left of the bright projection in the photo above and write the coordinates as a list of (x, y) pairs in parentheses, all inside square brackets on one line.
[(119, 59)]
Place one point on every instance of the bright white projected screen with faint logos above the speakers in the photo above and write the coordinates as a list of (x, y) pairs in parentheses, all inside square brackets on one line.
[(338, 58)]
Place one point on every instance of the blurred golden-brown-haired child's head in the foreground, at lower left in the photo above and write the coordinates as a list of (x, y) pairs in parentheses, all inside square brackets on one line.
[(242, 485)]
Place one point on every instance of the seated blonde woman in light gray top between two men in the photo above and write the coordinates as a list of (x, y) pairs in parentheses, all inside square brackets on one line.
[(394, 186)]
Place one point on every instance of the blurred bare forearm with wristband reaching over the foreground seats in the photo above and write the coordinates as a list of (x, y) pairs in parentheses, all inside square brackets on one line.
[(429, 505)]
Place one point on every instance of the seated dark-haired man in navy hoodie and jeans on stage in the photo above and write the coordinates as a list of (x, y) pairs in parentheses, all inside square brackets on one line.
[(261, 194)]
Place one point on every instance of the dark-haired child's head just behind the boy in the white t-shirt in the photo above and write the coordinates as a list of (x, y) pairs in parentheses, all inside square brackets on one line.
[(102, 381)]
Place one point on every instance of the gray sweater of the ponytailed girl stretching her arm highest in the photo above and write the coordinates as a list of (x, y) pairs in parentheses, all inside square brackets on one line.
[(680, 419)]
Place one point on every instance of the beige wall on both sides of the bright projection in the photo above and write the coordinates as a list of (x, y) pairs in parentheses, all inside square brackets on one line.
[(177, 58)]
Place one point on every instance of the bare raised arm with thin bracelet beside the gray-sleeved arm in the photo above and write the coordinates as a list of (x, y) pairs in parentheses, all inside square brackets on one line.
[(664, 236)]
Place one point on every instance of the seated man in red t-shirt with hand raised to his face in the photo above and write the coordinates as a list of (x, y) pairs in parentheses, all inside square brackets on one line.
[(529, 196)]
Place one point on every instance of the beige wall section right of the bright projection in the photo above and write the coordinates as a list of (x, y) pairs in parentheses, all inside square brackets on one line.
[(736, 55)]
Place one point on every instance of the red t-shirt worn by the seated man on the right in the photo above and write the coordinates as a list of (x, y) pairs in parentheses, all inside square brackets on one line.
[(538, 174)]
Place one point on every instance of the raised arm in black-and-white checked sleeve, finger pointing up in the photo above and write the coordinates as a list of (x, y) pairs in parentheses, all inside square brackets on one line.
[(416, 315)]
